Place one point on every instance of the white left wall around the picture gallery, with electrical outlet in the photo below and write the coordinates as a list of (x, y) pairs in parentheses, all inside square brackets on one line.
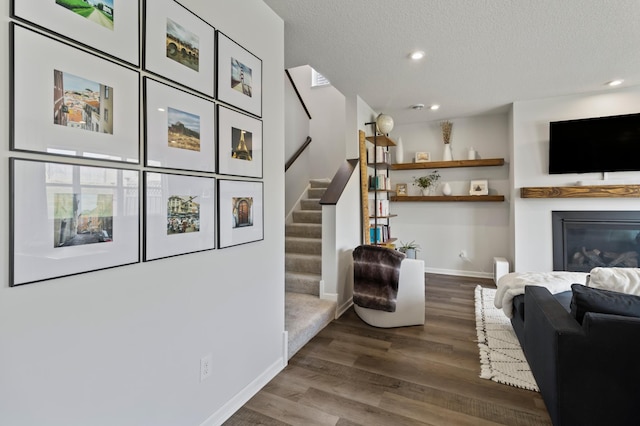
[(123, 346)]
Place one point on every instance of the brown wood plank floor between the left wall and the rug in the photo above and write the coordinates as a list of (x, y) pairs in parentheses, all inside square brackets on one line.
[(355, 374)]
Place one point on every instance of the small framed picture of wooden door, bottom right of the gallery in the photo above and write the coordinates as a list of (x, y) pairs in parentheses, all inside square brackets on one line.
[(240, 212)]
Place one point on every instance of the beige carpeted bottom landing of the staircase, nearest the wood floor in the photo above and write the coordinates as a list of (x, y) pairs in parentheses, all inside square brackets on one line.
[(305, 316)]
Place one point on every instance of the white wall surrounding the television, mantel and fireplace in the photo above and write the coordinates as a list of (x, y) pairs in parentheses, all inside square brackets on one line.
[(532, 217)]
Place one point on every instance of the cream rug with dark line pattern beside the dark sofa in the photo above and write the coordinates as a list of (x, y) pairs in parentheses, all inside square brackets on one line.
[(501, 357)]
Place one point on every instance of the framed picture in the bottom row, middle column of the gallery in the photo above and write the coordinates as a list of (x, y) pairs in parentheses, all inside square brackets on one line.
[(179, 214)]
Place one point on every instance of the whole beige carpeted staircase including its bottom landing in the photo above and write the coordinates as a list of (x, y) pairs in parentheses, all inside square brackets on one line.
[(305, 313)]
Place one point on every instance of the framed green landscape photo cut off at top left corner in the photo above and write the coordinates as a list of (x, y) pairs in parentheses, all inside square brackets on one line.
[(109, 26)]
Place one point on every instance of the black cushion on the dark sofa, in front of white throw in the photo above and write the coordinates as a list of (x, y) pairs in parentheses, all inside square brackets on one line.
[(588, 299)]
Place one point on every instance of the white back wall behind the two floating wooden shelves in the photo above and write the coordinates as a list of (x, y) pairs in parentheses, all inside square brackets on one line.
[(444, 229)]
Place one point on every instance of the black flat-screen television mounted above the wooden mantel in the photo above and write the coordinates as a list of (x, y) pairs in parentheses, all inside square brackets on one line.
[(603, 144)]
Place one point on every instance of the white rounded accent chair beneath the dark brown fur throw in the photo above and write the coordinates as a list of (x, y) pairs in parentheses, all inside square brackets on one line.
[(410, 300)]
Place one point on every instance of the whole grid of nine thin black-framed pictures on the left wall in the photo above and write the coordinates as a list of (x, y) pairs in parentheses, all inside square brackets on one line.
[(136, 135)]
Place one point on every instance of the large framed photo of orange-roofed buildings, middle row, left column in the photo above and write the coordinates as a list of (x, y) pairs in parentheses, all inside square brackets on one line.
[(69, 102)]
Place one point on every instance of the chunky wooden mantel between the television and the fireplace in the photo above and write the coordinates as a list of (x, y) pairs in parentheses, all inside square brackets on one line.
[(599, 191)]
